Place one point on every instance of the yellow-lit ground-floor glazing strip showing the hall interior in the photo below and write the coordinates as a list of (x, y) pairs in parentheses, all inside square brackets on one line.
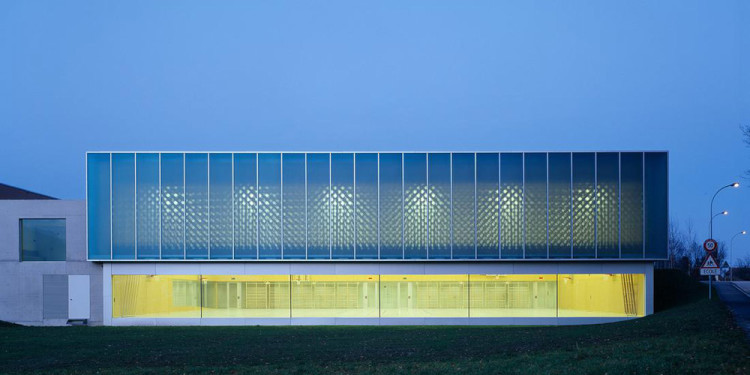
[(374, 296)]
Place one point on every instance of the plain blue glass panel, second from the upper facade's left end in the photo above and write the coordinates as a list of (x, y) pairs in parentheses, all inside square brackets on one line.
[(123, 206)]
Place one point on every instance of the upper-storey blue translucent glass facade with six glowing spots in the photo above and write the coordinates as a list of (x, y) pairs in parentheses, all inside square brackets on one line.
[(377, 206)]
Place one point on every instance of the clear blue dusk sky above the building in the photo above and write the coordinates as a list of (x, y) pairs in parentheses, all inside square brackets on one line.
[(381, 75)]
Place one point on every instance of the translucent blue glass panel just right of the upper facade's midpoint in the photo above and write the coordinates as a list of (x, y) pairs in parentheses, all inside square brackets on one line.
[(391, 207)]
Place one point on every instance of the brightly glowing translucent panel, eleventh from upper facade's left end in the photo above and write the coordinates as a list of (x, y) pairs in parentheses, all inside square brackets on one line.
[(342, 206)]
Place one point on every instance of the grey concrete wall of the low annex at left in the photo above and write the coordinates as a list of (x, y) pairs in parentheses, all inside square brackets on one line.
[(21, 283)]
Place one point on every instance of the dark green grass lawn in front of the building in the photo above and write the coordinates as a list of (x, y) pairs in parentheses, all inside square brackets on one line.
[(689, 335)]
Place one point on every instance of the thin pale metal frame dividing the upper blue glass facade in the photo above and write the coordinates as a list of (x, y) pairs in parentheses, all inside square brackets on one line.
[(354, 217)]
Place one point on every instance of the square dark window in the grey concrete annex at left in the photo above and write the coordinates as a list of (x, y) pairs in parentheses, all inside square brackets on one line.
[(42, 239)]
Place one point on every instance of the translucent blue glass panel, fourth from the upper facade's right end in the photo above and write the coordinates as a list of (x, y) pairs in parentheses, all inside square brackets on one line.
[(584, 206)]
